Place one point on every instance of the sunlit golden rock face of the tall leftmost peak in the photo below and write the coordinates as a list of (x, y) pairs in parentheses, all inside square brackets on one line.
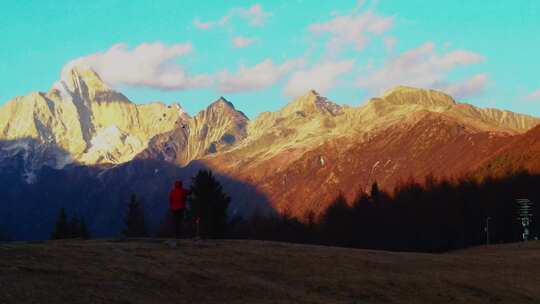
[(84, 121)]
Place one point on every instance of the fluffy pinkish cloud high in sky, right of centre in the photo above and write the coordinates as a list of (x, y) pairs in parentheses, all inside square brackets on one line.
[(351, 29)]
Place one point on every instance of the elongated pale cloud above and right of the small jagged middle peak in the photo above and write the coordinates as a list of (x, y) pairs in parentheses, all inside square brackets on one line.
[(259, 76)]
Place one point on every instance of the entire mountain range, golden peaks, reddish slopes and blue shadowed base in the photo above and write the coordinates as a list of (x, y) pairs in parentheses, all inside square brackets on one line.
[(87, 147)]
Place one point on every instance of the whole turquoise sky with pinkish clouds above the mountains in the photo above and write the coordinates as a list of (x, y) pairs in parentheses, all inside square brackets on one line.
[(261, 54)]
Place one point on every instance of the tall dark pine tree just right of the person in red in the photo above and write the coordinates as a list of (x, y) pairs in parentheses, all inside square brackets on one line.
[(209, 204)]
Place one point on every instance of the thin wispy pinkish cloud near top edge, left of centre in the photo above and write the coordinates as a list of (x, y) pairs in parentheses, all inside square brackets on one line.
[(255, 15)]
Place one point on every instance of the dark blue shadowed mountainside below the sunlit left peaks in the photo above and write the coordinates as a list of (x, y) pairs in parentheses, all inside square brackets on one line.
[(28, 207)]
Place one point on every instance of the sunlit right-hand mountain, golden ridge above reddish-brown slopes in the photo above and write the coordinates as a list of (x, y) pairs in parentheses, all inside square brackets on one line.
[(303, 156)]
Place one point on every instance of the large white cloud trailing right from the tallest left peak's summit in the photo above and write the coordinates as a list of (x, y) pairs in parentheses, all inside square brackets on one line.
[(147, 65)]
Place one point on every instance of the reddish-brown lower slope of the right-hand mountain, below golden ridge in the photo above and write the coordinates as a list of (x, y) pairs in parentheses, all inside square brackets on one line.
[(427, 143)]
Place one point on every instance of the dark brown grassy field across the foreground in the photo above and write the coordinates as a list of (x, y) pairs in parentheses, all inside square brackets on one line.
[(229, 271)]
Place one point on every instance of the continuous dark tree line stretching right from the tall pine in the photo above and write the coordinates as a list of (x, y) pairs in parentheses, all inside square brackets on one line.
[(428, 216)]
